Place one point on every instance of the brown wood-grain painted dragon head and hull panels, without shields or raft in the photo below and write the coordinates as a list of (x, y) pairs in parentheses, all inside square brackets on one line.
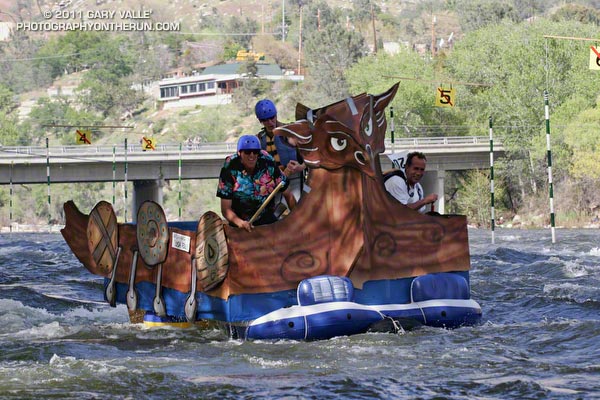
[(348, 225)]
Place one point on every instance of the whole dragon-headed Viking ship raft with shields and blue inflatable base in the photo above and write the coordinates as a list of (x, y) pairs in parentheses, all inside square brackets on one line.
[(347, 249)]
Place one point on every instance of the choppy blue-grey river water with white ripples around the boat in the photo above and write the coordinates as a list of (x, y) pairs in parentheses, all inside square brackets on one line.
[(539, 338)]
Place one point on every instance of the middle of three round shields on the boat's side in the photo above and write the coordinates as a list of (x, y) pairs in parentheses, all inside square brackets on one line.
[(152, 233)]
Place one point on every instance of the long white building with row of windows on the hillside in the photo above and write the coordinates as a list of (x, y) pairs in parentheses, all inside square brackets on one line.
[(214, 85)]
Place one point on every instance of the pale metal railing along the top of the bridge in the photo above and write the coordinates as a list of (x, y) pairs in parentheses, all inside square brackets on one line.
[(210, 148)]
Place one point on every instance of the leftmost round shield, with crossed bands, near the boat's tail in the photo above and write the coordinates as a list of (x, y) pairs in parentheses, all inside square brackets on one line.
[(103, 236)]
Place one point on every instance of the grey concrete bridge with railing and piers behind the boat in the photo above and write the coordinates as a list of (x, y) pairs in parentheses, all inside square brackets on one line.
[(105, 163)]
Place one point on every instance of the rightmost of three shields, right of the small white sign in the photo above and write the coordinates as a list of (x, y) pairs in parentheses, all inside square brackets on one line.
[(212, 259)]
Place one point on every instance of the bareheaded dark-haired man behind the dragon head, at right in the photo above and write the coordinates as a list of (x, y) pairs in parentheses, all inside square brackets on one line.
[(405, 186)]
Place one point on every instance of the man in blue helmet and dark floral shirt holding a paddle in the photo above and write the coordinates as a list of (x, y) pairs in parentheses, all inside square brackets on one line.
[(246, 180)]
